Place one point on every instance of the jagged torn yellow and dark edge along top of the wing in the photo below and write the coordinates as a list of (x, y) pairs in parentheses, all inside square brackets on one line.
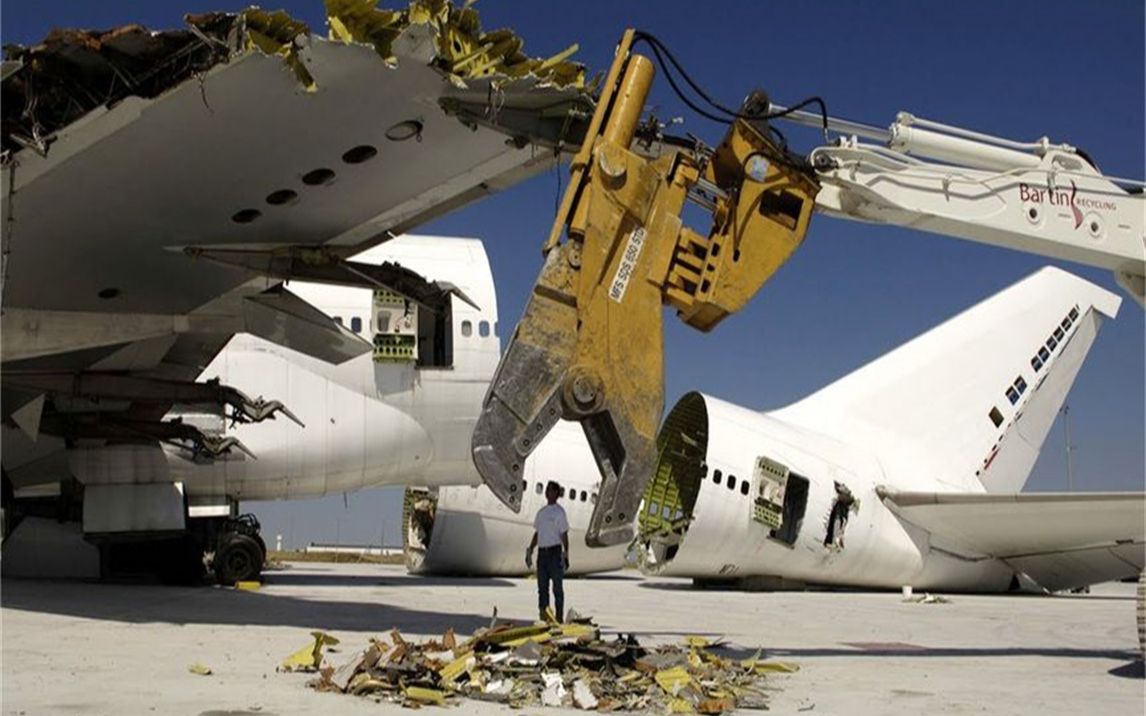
[(72, 73)]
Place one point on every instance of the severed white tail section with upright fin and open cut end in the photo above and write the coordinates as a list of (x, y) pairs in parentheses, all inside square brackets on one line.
[(802, 494)]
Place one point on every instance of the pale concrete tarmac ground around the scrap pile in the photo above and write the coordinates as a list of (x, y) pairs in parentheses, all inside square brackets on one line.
[(79, 648)]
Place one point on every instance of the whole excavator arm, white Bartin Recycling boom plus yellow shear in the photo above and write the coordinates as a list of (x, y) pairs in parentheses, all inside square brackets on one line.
[(590, 345)]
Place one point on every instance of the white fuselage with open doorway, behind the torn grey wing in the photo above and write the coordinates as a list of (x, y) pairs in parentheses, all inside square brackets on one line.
[(367, 422)]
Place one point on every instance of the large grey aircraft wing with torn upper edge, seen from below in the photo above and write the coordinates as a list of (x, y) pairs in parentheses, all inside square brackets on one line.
[(158, 186)]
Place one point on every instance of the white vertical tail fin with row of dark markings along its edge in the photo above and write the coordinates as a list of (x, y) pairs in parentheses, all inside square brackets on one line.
[(974, 399)]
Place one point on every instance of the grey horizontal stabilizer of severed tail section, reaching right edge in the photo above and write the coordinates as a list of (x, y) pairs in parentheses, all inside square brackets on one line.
[(1059, 540)]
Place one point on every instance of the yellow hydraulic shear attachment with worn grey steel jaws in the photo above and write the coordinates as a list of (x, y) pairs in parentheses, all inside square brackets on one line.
[(590, 345)]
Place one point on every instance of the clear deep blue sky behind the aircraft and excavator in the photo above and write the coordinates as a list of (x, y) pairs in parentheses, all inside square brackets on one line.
[(1073, 72)]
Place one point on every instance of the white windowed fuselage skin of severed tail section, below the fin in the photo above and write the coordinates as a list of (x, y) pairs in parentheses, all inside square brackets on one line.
[(880, 550)]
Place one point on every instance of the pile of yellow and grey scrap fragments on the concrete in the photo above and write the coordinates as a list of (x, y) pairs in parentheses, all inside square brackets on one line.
[(545, 665)]
